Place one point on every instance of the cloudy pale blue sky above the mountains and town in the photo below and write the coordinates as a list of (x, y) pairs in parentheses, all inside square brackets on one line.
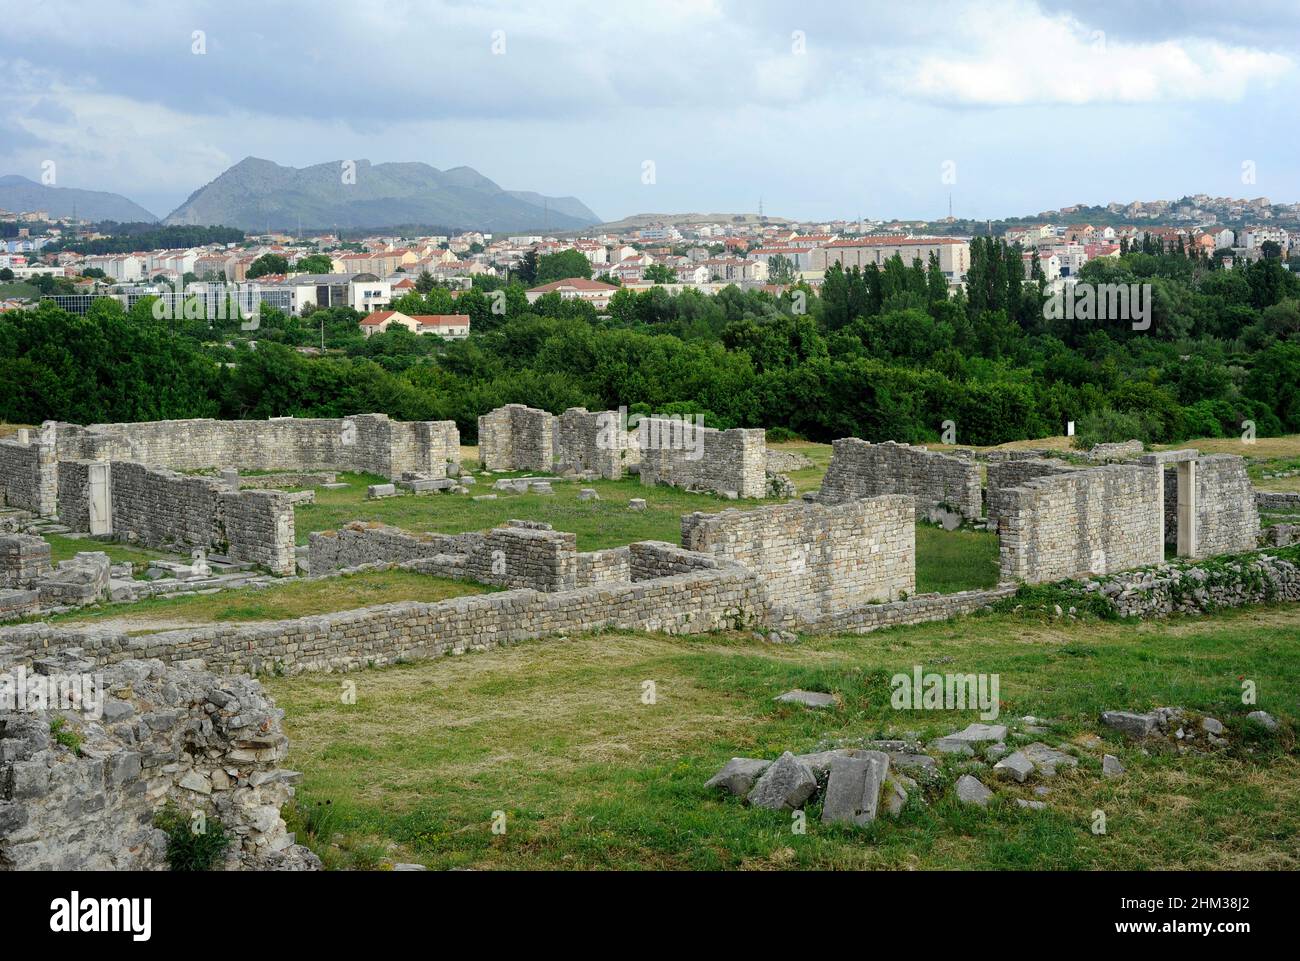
[(822, 110)]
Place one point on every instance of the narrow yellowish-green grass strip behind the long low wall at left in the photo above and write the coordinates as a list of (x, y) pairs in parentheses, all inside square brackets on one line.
[(292, 600)]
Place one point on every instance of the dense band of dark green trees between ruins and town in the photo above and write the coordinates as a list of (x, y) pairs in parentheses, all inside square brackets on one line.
[(883, 353)]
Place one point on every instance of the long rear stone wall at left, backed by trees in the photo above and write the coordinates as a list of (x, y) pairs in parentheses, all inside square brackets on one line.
[(367, 443)]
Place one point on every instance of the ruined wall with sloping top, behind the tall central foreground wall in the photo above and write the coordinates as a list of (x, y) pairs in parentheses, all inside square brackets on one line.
[(860, 469)]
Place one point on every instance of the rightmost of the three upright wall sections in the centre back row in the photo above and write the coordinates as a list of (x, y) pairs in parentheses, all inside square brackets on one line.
[(701, 458)]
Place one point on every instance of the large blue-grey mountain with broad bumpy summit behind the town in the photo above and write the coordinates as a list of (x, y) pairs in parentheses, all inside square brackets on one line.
[(259, 194)]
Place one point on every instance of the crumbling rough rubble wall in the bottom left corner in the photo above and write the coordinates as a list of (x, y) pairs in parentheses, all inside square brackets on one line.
[(166, 735)]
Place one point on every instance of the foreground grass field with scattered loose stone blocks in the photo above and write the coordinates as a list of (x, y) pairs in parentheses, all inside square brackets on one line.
[(554, 735)]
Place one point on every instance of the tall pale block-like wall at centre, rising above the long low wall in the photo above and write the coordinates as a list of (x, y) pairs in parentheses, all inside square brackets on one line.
[(814, 559)]
